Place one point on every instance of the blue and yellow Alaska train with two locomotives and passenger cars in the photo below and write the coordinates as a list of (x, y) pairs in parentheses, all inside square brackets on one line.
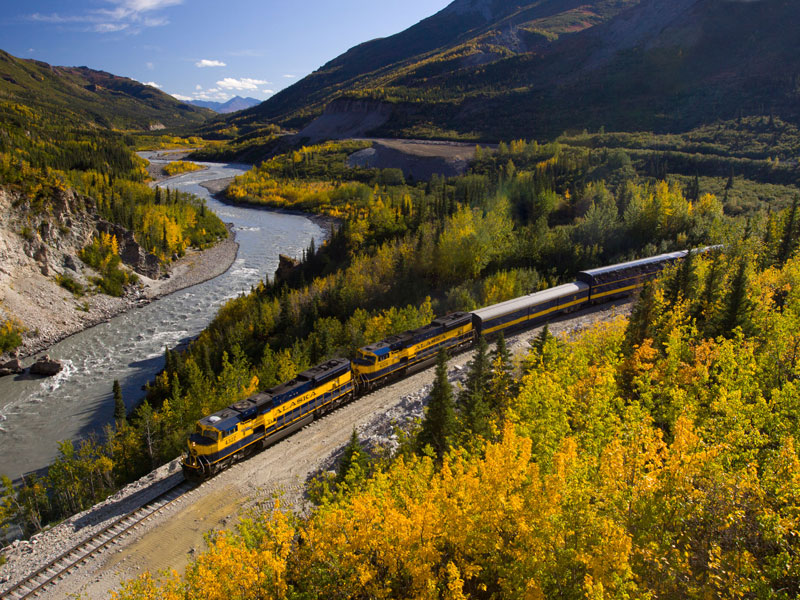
[(254, 423)]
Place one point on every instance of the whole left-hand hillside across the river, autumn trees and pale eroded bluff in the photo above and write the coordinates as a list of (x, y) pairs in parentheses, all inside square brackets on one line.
[(83, 236)]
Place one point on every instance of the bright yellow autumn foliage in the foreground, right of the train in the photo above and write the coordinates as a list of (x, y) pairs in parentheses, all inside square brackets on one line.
[(669, 470)]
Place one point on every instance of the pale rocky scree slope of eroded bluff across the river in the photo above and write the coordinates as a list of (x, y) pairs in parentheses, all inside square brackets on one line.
[(37, 247)]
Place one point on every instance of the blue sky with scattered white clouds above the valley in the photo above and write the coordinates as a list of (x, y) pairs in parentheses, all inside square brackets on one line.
[(202, 49)]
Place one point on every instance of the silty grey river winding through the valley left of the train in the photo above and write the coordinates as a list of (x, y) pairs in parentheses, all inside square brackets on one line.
[(35, 414)]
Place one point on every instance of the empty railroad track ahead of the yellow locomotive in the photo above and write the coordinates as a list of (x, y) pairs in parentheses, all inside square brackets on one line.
[(37, 582)]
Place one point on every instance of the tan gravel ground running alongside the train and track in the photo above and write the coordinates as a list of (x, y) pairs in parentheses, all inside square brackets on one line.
[(171, 538)]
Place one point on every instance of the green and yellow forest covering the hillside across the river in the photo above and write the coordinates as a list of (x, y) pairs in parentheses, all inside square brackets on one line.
[(41, 159)]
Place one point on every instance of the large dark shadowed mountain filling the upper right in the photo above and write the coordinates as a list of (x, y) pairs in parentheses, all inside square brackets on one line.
[(491, 69)]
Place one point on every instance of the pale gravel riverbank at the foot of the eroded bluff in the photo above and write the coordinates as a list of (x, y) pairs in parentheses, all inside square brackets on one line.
[(59, 314)]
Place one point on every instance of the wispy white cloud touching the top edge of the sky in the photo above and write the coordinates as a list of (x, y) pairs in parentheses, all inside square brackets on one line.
[(120, 15)]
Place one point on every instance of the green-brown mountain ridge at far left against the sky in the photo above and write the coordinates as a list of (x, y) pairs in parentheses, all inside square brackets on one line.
[(85, 97)]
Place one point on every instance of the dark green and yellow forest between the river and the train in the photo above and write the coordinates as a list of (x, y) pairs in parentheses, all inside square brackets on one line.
[(526, 216)]
